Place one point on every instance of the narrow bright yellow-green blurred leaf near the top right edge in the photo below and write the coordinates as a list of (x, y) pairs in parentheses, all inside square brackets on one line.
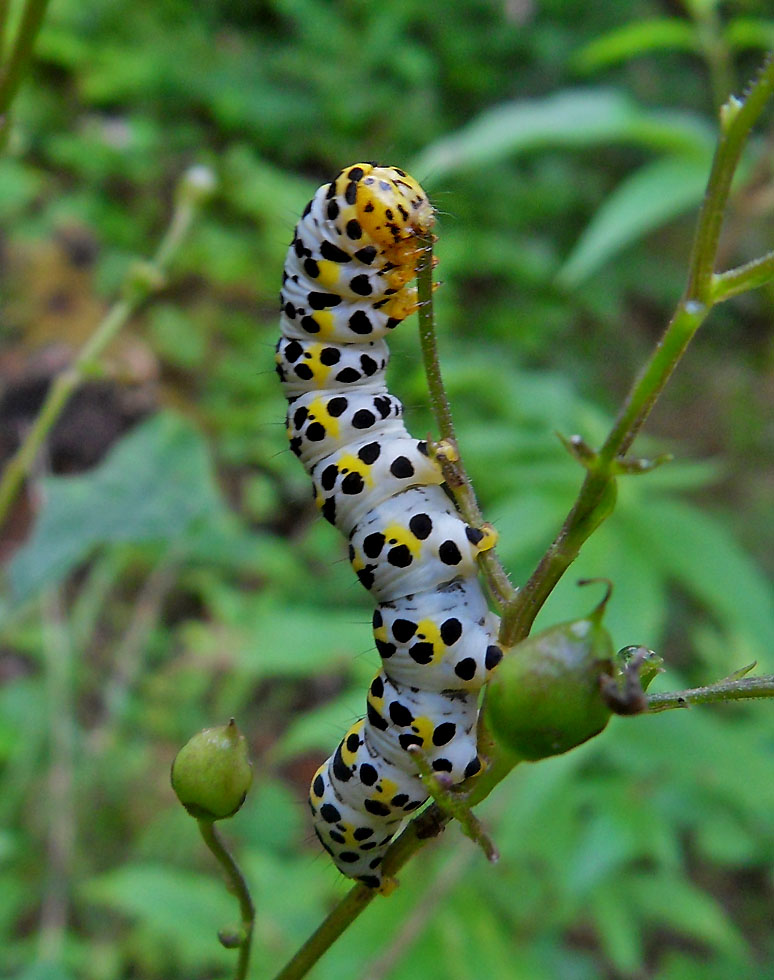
[(640, 37)]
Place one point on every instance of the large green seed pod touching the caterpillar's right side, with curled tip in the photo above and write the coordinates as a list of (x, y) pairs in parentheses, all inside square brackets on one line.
[(546, 695)]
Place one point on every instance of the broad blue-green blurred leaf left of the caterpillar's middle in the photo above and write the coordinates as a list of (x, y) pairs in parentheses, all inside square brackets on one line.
[(152, 486)]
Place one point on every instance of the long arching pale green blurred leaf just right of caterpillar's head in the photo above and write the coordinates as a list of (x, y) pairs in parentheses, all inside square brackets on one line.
[(575, 118)]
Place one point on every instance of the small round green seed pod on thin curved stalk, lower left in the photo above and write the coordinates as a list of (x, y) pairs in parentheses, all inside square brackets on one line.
[(212, 773)]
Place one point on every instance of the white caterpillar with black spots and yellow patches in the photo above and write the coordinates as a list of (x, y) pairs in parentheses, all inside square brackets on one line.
[(345, 287)]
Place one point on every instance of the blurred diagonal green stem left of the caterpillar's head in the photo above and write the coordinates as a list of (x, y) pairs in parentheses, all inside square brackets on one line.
[(141, 282)]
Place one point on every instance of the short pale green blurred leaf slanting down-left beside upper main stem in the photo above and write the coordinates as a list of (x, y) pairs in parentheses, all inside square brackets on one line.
[(647, 199)]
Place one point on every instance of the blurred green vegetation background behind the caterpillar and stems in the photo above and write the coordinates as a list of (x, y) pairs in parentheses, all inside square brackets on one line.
[(165, 570)]
